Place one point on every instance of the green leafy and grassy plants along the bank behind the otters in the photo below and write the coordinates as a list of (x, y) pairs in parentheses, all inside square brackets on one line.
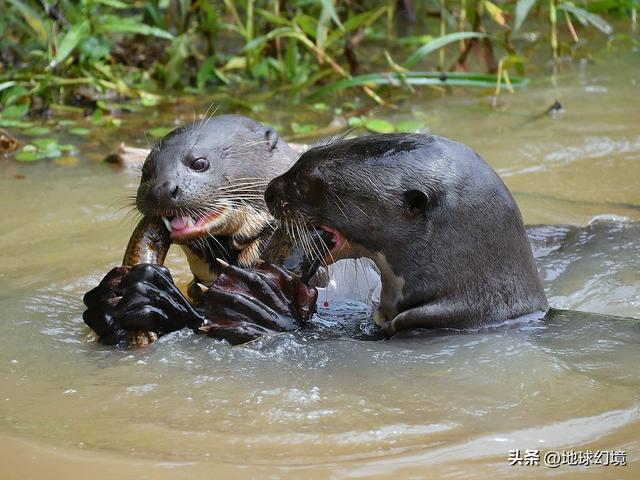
[(92, 54)]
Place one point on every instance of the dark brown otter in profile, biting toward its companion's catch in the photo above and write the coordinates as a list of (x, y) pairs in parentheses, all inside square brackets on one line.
[(442, 228)]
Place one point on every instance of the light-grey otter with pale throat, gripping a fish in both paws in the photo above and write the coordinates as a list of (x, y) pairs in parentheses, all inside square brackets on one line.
[(204, 184)]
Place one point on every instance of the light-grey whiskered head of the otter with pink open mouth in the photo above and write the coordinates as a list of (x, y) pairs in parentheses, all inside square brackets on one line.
[(204, 179)]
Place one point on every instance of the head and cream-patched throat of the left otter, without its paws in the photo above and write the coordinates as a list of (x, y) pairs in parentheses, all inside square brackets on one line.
[(206, 181)]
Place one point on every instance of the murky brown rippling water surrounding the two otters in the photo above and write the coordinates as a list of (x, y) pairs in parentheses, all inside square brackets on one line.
[(319, 403)]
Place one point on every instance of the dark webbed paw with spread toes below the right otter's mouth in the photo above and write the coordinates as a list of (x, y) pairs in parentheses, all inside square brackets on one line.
[(244, 304)]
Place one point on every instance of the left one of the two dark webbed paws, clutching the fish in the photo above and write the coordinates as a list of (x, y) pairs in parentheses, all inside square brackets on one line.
[(141, 298)]
